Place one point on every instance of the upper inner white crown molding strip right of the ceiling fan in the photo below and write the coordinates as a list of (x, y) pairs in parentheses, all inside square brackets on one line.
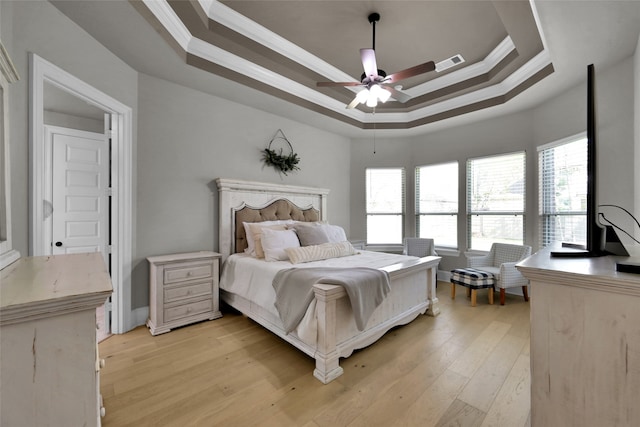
[(505, 47)]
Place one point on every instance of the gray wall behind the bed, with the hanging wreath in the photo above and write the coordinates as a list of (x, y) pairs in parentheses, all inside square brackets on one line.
[(187, 139)]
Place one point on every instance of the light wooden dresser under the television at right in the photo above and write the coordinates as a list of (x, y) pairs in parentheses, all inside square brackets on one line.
[(585, 341)]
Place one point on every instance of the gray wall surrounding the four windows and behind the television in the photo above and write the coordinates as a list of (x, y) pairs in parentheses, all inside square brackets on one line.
[(558, 118)]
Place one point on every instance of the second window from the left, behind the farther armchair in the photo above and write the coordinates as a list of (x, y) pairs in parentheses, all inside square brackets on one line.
[(437, 203)]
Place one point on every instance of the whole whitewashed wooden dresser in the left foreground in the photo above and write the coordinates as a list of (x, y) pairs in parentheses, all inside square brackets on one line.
[(49, 367)]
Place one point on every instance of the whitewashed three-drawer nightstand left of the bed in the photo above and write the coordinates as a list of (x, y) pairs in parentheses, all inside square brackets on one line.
[(183, 289)]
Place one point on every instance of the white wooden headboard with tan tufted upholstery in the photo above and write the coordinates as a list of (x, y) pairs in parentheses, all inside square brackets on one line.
[(248, 201)]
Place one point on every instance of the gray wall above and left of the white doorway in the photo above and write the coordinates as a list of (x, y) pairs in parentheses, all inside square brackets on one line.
[(37, 26)]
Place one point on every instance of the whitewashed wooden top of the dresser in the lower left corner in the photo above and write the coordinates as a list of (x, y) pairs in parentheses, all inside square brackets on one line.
[(39, 286)]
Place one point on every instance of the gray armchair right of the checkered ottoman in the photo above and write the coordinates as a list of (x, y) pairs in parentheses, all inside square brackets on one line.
[(501, 261)]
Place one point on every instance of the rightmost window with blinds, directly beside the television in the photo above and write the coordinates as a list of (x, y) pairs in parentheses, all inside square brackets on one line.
[(563, 191)]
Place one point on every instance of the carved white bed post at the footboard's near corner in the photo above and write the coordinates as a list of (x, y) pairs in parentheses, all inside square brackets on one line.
[(327, 358)]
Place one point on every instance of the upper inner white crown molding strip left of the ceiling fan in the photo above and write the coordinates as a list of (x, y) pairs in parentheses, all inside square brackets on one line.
[(228, 17)]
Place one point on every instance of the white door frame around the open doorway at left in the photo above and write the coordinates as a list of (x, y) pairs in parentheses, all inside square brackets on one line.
[(41, 71)]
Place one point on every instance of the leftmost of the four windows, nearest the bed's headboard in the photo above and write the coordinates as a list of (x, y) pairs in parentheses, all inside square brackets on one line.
[(385, 205)]
